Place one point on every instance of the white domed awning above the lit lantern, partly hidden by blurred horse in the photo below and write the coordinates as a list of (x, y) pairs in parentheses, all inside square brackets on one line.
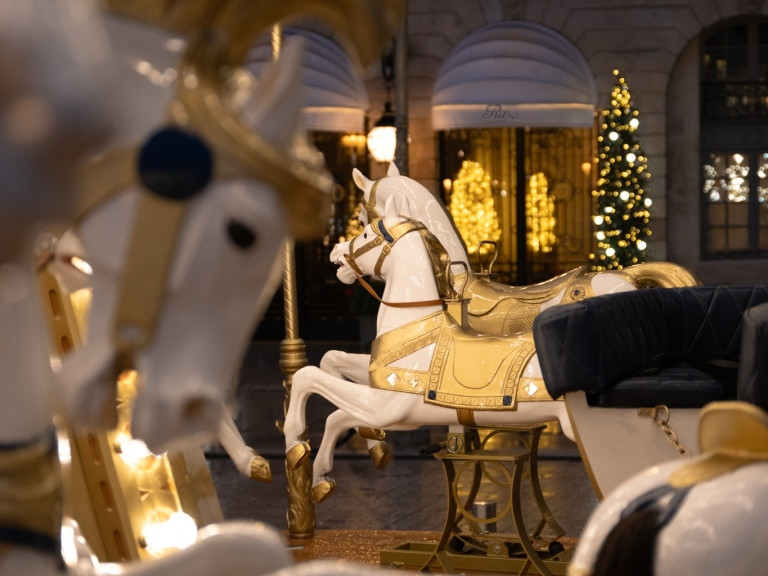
[(335, 98)]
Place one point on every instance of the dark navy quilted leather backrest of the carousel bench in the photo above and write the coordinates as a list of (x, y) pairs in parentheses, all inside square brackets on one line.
[(594, 344)]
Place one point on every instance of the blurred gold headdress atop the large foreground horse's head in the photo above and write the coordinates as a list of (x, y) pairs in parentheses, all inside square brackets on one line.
[(219, 34)]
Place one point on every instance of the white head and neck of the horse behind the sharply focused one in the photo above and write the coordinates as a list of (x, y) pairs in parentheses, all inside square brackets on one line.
[(425, 206)]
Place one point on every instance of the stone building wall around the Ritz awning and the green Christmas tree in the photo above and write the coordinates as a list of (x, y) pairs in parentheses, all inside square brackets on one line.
[(653, 44)]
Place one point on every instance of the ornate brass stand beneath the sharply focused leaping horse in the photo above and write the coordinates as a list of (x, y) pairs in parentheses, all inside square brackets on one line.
[(469, 540)]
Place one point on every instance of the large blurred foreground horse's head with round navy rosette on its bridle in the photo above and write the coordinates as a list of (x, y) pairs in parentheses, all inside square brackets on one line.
[(183, 228)]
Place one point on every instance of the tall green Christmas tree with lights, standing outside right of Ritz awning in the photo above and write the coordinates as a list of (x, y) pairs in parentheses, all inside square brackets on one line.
[(622, 216)]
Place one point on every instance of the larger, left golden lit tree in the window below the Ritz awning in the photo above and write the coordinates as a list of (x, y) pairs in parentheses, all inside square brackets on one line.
[(472, 206)]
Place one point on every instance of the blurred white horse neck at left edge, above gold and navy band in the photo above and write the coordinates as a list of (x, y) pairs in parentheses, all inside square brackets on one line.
[(26, 408)]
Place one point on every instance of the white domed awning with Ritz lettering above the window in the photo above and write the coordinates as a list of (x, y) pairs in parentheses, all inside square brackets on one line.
[(514, 74)]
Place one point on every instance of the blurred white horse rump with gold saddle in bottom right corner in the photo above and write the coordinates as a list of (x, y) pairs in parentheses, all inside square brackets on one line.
[(703, 516)]
